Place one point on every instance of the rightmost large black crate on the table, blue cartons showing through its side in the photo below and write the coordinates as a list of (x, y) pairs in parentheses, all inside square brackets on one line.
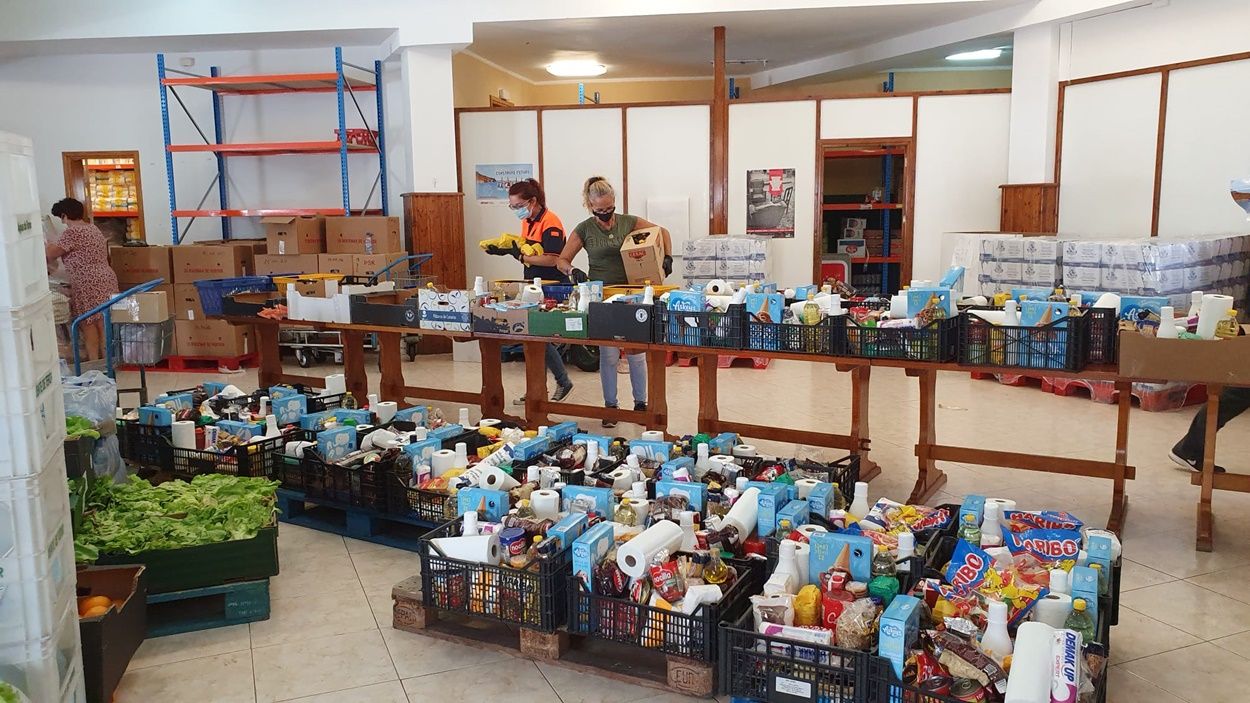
[(1063, 345)]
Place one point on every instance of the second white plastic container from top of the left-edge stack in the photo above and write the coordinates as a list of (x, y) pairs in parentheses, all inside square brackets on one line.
[(32, 423)]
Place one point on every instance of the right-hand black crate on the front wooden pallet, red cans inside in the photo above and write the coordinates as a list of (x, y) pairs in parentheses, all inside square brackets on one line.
[(673, 632)]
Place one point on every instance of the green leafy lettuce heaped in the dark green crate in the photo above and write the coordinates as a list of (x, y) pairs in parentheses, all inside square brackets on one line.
[(137, 516)]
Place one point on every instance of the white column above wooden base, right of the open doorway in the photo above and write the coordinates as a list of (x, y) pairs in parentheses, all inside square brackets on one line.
[(1034, 104)]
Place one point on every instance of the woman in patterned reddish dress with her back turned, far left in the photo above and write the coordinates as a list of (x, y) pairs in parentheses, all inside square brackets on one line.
[(84, 251)]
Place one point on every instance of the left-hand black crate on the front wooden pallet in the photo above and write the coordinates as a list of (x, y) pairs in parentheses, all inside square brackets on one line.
[(536, 600)]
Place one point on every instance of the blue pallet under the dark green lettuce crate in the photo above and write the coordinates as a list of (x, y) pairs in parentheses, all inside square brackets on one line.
[(207, 609)]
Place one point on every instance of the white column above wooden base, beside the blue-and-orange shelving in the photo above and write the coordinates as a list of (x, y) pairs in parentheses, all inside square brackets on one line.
[(431, 134)]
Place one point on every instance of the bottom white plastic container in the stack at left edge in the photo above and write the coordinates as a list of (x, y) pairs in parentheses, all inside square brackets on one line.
[(49, 669)]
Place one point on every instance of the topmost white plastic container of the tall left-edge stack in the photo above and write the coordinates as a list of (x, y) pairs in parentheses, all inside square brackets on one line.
[(23, 271)]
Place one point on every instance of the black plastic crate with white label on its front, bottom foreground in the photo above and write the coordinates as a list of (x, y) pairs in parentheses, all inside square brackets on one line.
[(761, 667)]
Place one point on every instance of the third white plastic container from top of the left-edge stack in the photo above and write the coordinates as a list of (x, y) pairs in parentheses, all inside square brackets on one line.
[(34, 512)]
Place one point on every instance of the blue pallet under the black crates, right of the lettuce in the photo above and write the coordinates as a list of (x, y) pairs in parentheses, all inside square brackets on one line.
[(357, 523)]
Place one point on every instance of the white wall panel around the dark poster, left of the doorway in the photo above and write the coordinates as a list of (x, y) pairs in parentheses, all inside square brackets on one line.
[(777, 136)]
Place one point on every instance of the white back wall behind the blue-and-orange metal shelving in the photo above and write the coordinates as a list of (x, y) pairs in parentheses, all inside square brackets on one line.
[(113, 102)]
